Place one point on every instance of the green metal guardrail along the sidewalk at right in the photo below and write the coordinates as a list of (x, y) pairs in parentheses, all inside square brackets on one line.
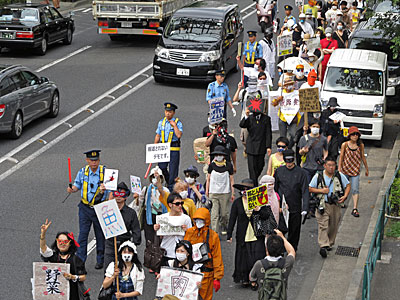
[(374, 252)]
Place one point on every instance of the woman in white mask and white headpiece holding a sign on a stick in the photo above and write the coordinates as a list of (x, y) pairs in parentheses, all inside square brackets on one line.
[(129, 272)]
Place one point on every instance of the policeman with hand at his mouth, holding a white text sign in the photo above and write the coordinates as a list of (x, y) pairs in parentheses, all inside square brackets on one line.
[(169, 130)]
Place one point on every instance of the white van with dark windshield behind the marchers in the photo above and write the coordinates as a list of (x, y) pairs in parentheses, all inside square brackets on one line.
[(358, 79)]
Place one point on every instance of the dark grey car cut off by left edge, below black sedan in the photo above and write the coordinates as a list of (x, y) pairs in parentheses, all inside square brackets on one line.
[(24, 97)]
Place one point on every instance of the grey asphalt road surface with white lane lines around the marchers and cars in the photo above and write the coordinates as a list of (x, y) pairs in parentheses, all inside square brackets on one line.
[(110, 101)]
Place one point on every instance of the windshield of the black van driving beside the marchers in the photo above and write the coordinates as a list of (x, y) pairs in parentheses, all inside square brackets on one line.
[(195, 30)]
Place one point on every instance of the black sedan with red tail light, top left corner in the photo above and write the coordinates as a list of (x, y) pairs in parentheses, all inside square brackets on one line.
[(34, 26)]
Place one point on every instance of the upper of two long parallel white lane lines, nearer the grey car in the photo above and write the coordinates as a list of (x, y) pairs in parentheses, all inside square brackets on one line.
[(70, 116)]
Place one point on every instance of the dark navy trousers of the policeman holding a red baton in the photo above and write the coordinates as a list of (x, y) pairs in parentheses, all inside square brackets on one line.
[(87, 216)]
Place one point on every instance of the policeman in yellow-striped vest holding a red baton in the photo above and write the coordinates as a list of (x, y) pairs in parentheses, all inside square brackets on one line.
[(89, 181)]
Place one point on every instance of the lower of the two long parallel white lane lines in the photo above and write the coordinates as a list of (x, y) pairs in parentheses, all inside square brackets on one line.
[(72, 130)]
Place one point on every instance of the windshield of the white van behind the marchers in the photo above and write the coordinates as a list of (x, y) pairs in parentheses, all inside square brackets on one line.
[(354, 81)]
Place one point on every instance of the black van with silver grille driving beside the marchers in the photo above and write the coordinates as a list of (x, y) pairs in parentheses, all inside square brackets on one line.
[(198, 40)]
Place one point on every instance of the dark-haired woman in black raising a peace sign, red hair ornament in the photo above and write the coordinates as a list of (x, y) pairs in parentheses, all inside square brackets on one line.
[(63, 251)]
